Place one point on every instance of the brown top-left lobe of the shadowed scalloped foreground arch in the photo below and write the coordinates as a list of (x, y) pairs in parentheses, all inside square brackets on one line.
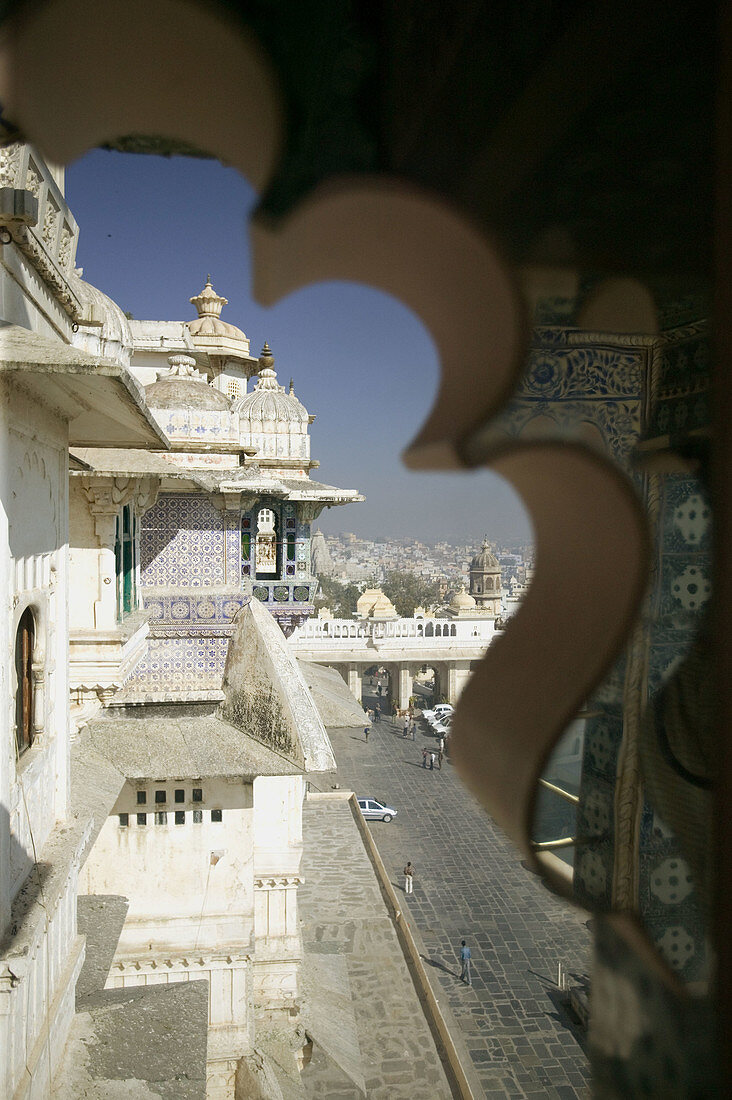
[(128, 73)]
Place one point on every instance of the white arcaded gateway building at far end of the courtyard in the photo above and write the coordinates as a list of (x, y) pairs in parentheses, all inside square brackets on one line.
[(452, 647)]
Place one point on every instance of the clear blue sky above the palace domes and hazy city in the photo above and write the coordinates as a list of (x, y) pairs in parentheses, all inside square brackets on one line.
[(151, 230)]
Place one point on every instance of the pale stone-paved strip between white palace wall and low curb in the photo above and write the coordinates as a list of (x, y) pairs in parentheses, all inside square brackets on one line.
[(345, 921)]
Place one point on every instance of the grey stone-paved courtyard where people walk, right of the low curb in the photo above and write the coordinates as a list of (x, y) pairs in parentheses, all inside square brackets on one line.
[(472, 885)]
